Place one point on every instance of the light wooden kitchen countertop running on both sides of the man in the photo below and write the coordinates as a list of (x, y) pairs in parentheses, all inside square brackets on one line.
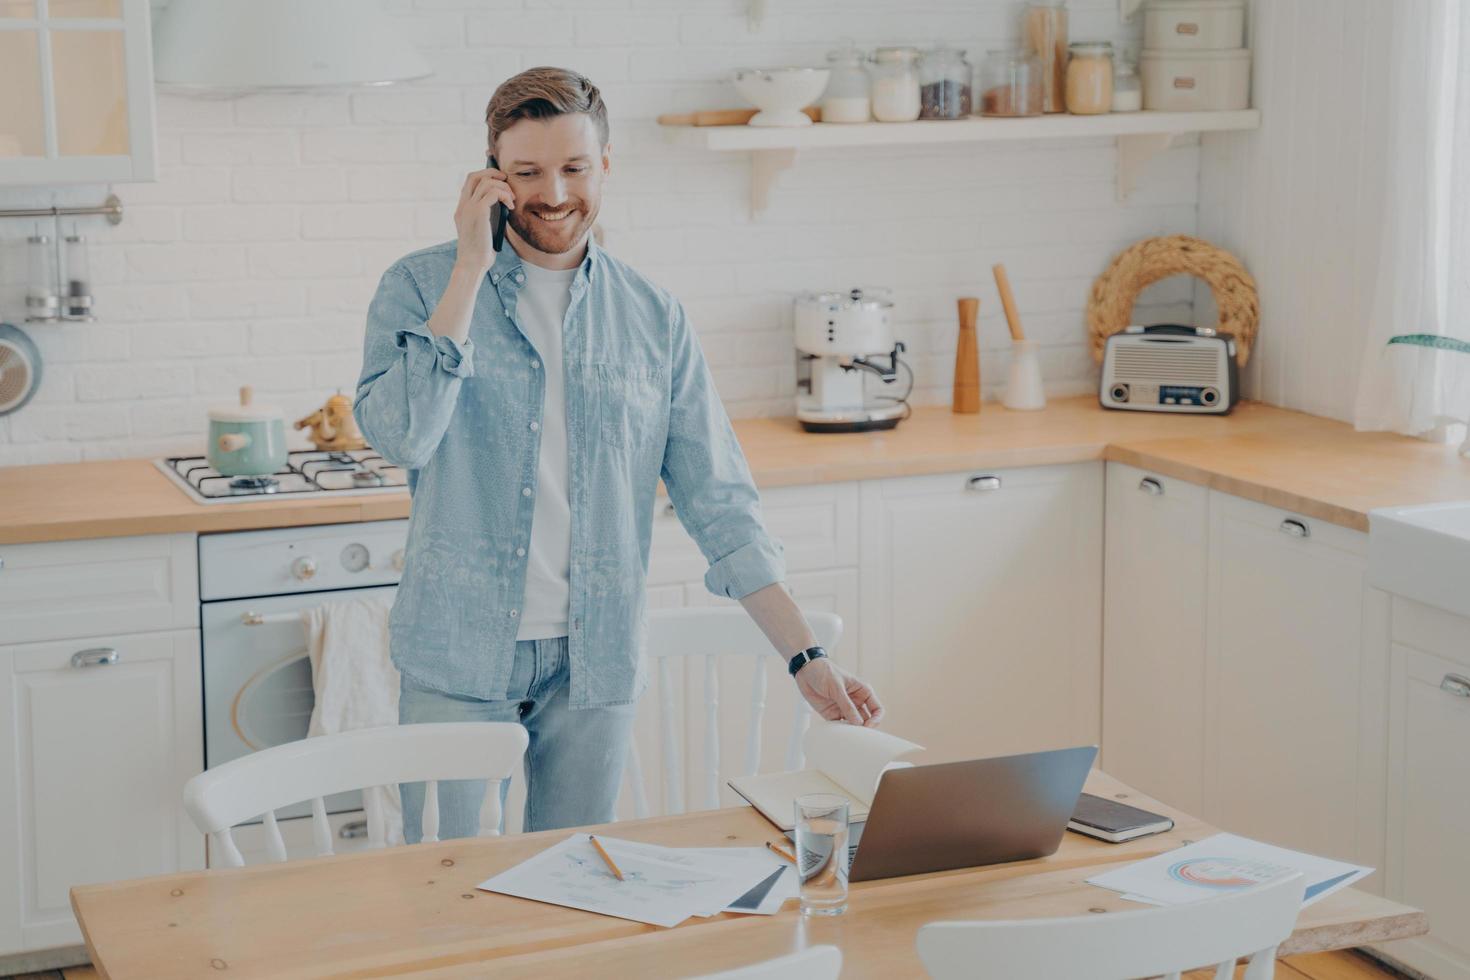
[(1313, 466)]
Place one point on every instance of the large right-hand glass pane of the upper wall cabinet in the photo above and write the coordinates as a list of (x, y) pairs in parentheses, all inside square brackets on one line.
[(92, 93)]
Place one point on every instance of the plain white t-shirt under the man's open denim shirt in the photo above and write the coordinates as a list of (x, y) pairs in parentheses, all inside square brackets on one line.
[(542, 311)]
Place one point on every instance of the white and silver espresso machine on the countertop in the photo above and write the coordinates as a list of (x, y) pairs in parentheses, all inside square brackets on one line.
[(843, 340)]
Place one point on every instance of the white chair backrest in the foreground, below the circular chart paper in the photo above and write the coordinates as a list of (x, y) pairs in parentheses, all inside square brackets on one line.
[(1124, 945)]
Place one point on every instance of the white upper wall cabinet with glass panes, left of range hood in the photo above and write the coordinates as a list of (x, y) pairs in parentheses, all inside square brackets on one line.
[(79, 92)]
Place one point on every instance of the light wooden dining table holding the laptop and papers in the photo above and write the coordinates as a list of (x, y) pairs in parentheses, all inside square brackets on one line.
[(415, 912)]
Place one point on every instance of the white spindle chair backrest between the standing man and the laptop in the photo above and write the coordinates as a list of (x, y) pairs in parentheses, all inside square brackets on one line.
[(709, 635)]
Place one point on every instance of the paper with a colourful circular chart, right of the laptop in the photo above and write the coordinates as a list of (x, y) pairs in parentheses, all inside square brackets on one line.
[(1221, 865)]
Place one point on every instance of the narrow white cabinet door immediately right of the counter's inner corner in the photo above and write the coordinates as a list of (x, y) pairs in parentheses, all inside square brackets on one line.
[(1153, 634)]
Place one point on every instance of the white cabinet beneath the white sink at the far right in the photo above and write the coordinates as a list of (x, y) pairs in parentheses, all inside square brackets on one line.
[(1430, 785)]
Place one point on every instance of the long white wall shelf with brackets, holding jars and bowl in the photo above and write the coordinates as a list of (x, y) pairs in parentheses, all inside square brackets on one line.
[(1140, 136)]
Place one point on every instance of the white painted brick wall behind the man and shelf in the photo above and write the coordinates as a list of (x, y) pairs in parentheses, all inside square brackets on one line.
[(255, 255)]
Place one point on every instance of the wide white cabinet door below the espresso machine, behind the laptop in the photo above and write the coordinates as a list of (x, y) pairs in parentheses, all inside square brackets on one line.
[(981, 608)]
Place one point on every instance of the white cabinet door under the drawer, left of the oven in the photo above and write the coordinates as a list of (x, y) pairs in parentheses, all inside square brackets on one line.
[(95, 757)]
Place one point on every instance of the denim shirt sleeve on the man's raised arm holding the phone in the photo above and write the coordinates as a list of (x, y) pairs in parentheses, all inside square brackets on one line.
[(411, 378)]
